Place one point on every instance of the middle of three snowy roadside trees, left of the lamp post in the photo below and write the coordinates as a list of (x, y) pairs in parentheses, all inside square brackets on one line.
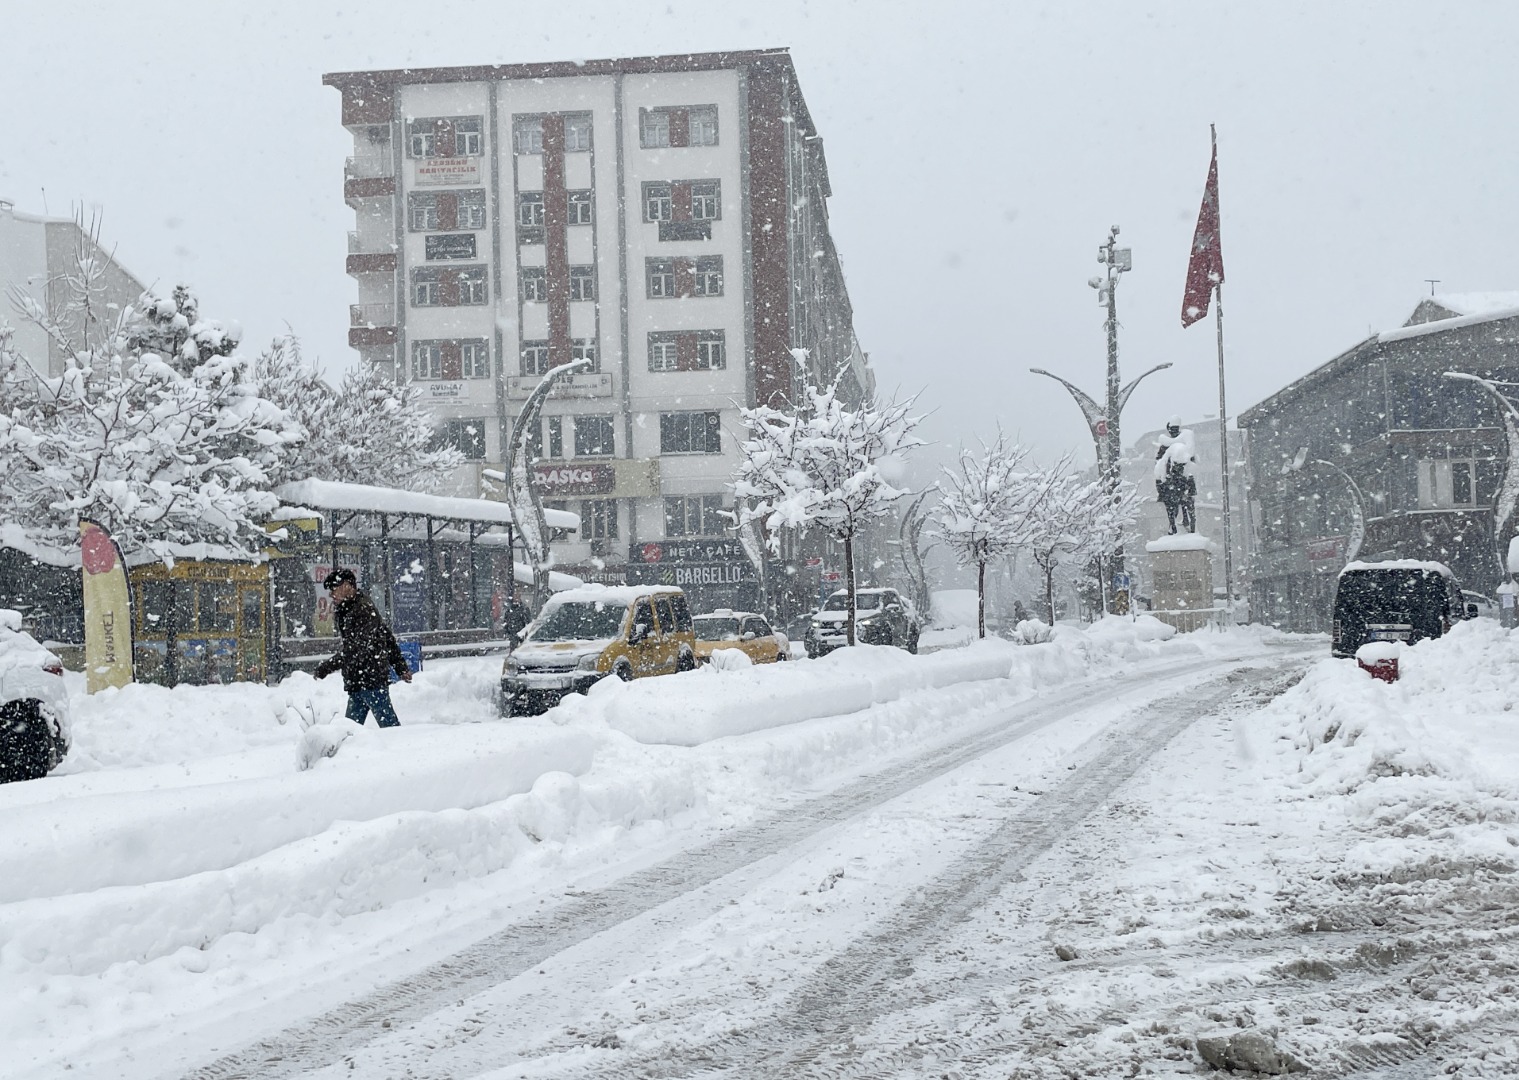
[(991, 508)]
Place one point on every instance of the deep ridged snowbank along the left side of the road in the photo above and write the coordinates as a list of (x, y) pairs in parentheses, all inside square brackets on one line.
[(183, 854)]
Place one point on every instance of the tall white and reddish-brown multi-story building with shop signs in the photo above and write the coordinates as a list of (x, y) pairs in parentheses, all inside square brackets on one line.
[(665, 218)]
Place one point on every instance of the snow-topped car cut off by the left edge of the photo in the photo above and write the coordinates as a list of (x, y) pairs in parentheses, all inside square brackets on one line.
[(34, 707)]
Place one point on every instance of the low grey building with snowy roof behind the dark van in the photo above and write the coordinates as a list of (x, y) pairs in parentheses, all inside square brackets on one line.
[(1380, 455)]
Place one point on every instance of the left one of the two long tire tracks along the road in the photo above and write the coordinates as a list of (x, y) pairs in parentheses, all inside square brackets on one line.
[(339, 1032)]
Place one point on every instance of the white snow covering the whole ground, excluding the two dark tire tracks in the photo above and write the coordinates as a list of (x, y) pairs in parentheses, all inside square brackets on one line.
[(180, 889)]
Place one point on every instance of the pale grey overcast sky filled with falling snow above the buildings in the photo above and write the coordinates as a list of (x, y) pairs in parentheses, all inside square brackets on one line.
[(977, 153)]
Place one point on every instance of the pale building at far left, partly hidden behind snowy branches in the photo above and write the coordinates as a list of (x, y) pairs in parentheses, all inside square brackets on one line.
[(37, 254)]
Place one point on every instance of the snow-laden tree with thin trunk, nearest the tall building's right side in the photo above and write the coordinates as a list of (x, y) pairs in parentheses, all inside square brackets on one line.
[(821, 466)]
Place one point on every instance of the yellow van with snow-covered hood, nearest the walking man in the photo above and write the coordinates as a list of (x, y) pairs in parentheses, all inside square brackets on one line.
[(595, 631)]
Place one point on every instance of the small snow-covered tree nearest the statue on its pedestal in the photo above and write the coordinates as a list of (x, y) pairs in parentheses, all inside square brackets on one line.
[(1082, 522)]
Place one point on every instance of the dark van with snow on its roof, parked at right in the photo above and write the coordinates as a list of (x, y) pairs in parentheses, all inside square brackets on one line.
[(1401, 601)]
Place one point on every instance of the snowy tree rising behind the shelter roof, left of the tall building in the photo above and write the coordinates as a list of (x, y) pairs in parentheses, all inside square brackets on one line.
[(368, 431)]
